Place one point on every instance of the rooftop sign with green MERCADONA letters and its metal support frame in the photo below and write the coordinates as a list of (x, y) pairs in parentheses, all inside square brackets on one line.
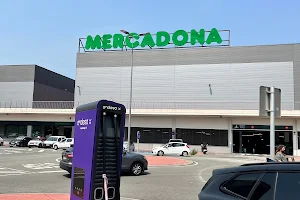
[(161, 39)]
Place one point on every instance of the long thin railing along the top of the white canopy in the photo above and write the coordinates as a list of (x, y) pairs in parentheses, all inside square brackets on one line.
[(199, 105)]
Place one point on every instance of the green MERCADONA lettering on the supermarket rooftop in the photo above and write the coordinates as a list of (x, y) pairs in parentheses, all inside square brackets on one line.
[(160, 39)]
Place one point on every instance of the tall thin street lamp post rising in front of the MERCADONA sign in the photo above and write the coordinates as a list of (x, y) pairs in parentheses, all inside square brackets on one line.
[(130, 98)]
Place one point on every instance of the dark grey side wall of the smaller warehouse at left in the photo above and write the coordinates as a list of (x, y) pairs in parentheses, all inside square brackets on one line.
[(50, 86)]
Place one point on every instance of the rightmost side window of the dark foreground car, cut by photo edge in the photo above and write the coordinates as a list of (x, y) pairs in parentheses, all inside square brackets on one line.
[(288, 184)]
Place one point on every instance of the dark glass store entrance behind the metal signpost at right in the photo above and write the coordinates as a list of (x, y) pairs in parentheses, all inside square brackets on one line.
[(257, 141)]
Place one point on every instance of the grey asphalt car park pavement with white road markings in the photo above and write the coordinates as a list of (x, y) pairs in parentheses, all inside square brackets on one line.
[(24, 170)]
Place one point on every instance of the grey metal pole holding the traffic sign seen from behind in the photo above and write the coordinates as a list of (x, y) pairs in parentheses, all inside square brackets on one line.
[(272, 123)]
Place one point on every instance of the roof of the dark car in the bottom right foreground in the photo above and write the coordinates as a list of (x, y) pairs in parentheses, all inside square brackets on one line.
[(267, 166)]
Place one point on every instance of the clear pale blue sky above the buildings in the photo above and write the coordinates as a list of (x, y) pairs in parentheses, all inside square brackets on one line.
[(46, 32)]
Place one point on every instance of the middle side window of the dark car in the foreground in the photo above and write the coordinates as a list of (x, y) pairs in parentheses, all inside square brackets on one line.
[(265, 188)]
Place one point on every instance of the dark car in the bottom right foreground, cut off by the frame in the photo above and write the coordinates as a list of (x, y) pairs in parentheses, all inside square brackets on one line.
[(259, 181)]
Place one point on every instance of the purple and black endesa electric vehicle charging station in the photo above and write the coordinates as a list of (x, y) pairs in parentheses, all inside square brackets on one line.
[(98, 148)]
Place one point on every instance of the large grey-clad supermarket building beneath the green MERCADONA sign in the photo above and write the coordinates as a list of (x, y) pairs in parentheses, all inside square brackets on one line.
[(203, 95)]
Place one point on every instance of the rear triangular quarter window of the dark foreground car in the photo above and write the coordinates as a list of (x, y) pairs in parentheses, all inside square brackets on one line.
[(242, 184)]
